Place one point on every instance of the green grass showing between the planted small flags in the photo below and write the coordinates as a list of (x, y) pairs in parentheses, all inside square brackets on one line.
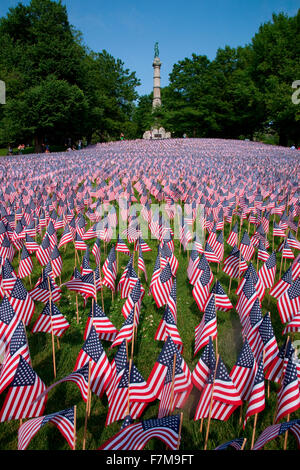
[(146, 351)]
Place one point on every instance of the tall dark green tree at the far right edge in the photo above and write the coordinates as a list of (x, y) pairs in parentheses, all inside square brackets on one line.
[(275, 66)]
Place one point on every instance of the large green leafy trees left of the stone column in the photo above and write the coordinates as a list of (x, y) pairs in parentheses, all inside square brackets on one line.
[(56, 88)]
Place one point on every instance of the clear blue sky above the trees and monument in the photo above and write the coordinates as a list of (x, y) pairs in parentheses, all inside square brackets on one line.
[(128, 29)]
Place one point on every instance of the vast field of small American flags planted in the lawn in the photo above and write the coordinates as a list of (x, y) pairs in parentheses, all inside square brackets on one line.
[(126, 327)]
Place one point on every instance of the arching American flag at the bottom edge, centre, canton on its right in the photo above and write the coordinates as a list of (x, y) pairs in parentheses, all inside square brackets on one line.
[(136, 436)]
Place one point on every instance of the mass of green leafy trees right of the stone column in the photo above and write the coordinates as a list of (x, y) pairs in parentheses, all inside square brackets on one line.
[(245, 91)]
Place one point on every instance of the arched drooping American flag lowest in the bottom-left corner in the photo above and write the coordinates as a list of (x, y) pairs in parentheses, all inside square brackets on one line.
[(64, 421)]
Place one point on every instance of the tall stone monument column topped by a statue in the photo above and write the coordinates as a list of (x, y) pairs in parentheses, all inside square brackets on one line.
[(156, 132)]
